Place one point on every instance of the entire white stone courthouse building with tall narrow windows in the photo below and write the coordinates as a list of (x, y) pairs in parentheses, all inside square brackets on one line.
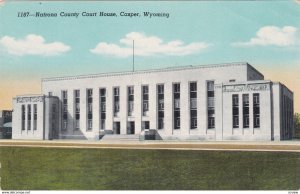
[(211, 102)]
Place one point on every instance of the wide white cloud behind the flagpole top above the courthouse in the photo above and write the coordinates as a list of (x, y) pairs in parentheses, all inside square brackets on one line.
[(147, 46)]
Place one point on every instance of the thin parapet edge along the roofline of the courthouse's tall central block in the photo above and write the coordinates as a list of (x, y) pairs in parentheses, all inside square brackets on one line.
[(168, 69)]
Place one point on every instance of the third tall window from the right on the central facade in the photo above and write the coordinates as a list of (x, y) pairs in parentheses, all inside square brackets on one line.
[(176, 109)]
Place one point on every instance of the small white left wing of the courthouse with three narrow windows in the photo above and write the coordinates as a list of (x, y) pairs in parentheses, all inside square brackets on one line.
[(35, 117)]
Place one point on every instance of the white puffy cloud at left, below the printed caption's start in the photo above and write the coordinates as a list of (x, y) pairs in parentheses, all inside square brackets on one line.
[(32, 45)]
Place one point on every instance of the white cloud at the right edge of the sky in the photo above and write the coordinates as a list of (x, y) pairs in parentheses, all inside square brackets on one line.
[(274, 36)]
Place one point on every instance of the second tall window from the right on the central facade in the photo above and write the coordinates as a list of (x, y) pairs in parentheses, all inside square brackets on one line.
[(193, 105)]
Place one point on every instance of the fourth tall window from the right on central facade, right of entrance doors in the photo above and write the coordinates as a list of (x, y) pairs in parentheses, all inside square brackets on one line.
[(160, 105)]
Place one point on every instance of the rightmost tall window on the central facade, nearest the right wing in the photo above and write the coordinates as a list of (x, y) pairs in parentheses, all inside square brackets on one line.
[(210, 104)]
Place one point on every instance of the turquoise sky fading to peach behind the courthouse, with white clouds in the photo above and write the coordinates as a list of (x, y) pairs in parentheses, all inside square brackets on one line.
[(265, 34)]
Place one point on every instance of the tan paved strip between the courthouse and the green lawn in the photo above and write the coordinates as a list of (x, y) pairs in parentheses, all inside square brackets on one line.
[(284, 146)]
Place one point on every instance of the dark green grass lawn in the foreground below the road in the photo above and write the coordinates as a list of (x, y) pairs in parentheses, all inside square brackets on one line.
[(114, 169)]
